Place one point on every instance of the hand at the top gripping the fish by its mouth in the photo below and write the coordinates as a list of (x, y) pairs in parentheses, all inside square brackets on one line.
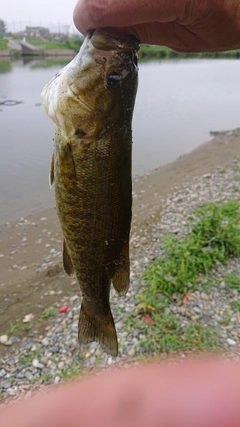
[(182, 25)]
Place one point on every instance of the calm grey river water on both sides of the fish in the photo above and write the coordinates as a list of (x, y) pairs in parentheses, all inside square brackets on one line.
[(178, 103)]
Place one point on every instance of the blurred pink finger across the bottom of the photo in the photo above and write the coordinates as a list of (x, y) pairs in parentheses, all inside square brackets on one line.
[(193, 394)]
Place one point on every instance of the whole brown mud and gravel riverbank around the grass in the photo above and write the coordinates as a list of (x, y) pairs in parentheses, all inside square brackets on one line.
[(45, 349)]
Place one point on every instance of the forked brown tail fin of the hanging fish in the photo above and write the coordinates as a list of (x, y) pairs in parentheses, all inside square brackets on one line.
[(96, 328)]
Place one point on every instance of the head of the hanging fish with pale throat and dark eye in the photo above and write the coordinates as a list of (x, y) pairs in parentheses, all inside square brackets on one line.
[(96, 88)]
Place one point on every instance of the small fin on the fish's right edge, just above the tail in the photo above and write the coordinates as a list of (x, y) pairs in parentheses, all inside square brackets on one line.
[(120, 278)]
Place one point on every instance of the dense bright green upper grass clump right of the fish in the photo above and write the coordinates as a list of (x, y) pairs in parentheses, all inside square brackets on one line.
[(214, 237)]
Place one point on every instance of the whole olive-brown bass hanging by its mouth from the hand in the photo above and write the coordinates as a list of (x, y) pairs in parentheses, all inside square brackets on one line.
[(91, 103)]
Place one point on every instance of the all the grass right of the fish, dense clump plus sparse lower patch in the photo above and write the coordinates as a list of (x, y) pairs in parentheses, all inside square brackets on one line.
[(214, 237)]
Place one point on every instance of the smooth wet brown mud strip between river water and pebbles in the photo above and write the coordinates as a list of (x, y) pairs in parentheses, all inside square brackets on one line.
[(30, 249)]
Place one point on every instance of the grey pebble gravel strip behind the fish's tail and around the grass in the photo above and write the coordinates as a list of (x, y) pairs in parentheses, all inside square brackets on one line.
[(58, 349)]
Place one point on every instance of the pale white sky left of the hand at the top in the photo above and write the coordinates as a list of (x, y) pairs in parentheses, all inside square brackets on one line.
[(18, 13)]
